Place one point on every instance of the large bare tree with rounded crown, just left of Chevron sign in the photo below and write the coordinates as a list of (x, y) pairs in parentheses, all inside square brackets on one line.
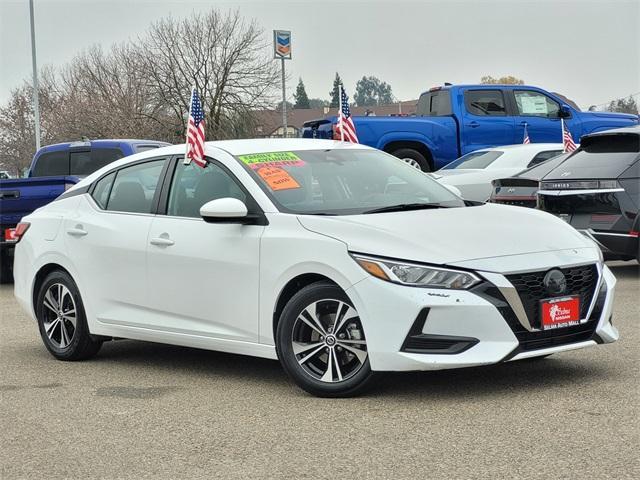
[(222, 56)]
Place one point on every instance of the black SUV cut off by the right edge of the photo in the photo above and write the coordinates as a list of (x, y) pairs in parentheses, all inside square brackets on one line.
[(597, 191)]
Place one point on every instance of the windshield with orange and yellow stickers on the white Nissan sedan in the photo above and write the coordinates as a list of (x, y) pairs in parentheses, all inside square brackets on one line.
[(344, 182)]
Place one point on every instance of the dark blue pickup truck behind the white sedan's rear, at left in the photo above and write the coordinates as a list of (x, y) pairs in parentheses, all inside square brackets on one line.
[(53, 170)]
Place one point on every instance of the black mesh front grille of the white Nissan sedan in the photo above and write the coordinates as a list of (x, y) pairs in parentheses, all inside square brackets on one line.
[(581, 281)]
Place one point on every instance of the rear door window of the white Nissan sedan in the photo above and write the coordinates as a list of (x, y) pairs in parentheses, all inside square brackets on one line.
[(134, 187)]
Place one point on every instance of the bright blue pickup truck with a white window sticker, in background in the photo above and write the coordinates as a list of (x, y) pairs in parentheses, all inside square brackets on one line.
[(453, 120)]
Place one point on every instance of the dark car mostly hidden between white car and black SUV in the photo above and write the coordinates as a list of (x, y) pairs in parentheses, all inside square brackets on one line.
[(521, 189)]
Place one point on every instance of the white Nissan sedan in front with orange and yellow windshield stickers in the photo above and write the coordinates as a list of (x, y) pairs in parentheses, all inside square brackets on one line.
[(336, 259)]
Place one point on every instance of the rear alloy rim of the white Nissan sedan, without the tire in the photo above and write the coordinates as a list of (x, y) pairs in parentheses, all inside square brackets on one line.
[(59, 315)]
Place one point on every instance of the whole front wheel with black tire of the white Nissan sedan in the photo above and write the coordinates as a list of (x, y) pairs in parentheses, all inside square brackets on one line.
[(321, 344)]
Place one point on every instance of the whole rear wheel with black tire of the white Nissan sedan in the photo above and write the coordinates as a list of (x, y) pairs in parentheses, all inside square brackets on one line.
[(62, 320)]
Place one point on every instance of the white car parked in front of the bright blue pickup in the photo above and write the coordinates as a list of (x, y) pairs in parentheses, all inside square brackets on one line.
[(473, 173)]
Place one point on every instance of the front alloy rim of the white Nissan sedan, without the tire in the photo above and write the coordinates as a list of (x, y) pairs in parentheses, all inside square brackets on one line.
[(328, 341)]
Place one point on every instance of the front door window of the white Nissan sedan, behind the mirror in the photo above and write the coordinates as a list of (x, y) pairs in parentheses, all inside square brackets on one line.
[(193, 186)]
